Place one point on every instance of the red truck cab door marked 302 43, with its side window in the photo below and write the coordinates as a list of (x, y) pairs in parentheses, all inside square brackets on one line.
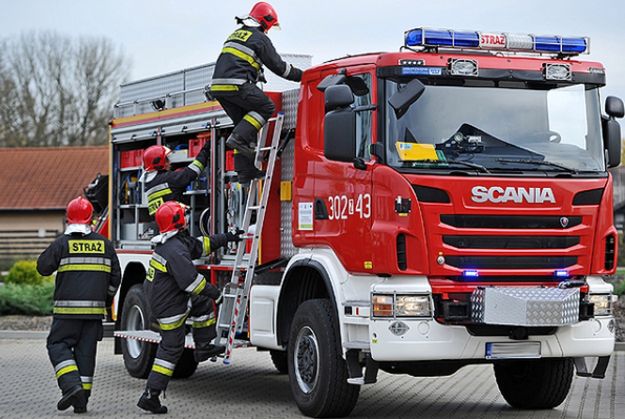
[(342, 207)]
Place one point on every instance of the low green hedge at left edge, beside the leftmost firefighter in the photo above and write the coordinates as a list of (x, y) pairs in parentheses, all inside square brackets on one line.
[(34, 300)]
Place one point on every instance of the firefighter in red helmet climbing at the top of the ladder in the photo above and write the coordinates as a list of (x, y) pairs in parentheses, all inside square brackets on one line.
[(238, 69)]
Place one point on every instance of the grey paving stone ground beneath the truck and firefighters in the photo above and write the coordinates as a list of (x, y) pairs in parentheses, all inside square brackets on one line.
[(251, 388)]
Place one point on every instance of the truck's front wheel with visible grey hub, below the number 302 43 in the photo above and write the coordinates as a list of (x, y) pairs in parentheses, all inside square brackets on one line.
[(317, 370)]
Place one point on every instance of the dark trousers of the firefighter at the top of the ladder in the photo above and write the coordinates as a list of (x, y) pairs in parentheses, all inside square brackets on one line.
[(249, 108)]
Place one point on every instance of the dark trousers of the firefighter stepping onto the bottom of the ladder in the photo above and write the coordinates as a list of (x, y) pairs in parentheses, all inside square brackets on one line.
[(173, 334)]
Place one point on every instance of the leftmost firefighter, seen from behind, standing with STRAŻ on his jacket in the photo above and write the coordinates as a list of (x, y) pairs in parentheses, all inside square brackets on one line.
[(88, 275)]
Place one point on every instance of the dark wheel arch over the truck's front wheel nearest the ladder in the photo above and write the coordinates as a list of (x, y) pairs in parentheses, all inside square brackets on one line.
[(306, 279)]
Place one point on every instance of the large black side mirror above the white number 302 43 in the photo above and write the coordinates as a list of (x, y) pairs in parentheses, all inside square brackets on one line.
[(339, 133)]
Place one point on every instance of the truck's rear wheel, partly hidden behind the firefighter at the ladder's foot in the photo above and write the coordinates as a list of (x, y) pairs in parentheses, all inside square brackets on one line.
[(138, 356)]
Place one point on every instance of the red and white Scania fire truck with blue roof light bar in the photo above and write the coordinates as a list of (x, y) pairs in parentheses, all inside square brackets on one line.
[(445, 205)]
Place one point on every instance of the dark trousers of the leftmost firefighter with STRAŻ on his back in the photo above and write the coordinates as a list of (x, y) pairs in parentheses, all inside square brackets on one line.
[(72, 345)]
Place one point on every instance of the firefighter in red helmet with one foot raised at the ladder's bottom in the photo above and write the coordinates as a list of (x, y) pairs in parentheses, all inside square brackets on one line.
[(175, 292)]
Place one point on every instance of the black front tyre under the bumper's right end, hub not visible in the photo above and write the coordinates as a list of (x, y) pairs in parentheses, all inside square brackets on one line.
[(535, 384)]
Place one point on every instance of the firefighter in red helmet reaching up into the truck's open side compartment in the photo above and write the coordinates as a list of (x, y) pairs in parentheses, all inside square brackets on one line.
[(161, 184)]
